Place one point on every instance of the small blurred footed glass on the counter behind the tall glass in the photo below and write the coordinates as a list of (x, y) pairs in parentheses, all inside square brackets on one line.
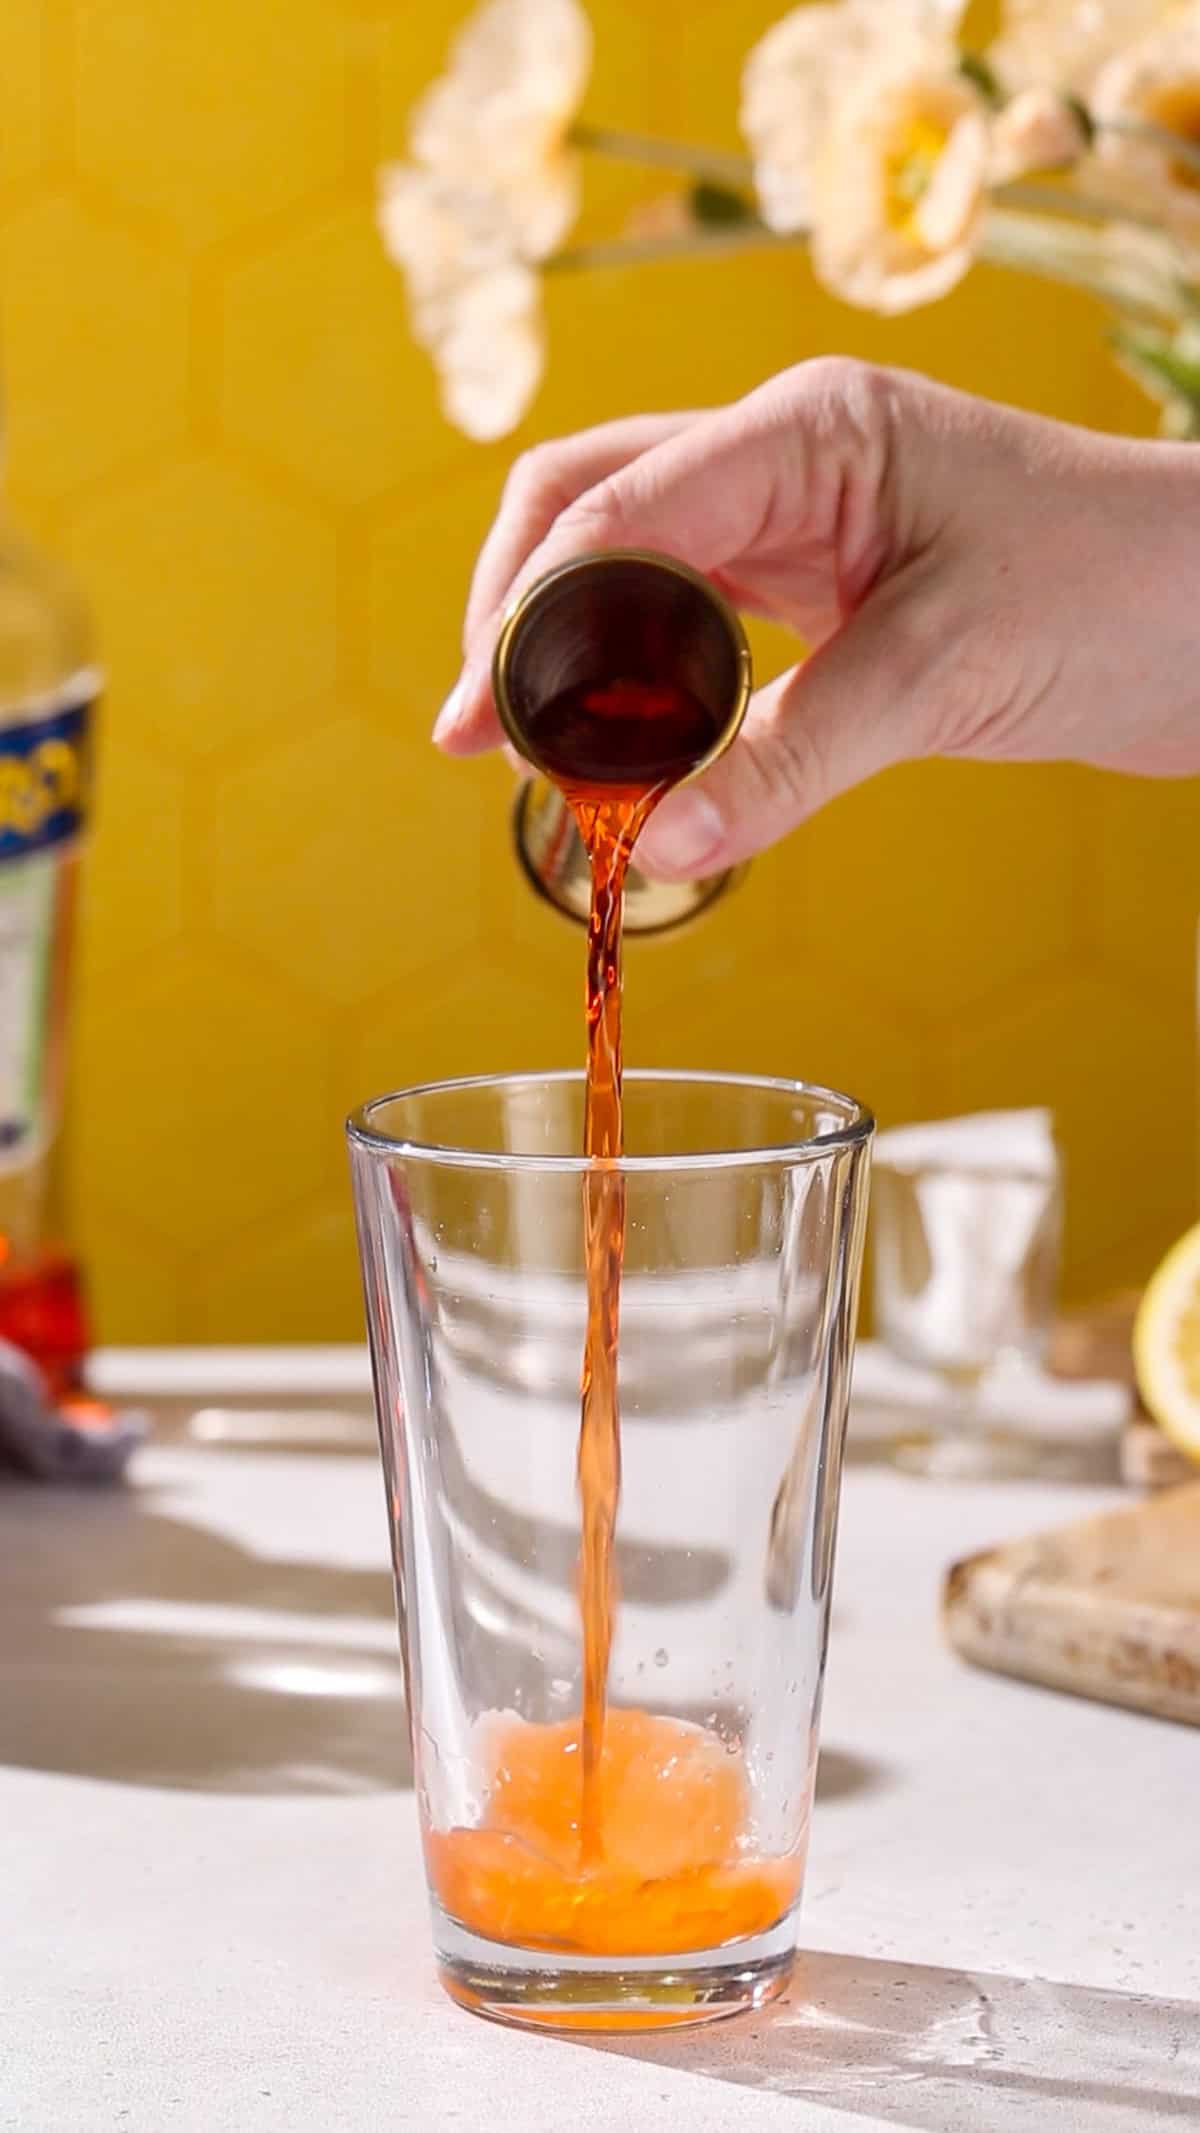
[(967, 1219)]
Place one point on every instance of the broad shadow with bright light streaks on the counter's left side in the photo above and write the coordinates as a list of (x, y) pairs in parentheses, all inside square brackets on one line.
[(148, 1650)]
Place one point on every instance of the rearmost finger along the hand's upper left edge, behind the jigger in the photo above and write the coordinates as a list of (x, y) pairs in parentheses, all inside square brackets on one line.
[(545, 483)]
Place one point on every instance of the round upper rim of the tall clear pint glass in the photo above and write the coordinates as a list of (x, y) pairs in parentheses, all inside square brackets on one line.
[(854, 1134)]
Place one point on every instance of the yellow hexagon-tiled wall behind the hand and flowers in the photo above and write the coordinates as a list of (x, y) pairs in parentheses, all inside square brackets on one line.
[(218, 415)]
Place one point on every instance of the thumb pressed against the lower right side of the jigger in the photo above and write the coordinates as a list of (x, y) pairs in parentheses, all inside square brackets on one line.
[(809, 737)]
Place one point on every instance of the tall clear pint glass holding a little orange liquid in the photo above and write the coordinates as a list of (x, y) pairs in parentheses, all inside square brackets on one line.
[(745, 1210)]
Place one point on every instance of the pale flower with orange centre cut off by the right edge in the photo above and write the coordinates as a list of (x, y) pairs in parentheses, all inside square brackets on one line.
[(1156, 84)]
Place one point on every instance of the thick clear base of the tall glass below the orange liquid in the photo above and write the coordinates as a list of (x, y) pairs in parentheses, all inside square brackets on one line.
[(538, 1989)]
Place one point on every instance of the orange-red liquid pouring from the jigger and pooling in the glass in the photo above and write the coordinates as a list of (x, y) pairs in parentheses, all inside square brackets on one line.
[(615, 1833)]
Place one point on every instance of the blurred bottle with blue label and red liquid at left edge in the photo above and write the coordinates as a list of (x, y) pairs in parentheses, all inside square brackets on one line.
[(48, 692)]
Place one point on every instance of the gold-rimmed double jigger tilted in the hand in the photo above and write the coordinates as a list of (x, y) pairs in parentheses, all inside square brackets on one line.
[(630, 615)]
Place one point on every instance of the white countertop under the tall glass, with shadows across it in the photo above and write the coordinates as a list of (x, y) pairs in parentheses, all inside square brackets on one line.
[(212, 1912)]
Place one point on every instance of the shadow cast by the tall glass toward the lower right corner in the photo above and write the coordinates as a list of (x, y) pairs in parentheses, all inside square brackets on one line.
[(935, 2051)]
